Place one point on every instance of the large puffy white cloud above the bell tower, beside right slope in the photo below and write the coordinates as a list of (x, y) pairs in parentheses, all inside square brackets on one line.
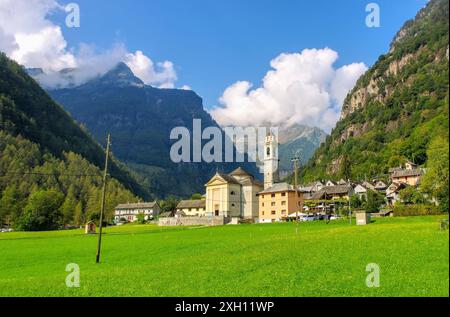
[(300, 88)]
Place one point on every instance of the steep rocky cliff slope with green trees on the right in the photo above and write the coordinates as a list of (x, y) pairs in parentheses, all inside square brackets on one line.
[(397, 106)]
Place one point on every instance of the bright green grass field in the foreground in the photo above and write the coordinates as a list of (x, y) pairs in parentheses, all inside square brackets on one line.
[(244, 260)]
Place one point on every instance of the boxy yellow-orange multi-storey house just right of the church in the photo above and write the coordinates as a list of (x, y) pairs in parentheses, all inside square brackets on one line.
[(278, 201)]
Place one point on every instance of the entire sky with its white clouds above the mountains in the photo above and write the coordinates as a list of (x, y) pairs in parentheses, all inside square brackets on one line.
[(254, 62)]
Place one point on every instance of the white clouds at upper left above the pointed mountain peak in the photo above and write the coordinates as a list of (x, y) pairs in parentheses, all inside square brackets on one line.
[(30, 38)]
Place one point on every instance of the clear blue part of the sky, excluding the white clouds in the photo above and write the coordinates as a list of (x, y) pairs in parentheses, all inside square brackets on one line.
[(214, 43)]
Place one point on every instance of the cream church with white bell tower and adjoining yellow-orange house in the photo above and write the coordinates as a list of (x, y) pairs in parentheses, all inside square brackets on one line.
[(241, 195)]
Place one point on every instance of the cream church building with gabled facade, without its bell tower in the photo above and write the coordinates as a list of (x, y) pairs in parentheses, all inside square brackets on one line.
[(233, 195)]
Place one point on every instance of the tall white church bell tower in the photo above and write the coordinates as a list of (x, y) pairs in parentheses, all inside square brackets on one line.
[(271, 175)]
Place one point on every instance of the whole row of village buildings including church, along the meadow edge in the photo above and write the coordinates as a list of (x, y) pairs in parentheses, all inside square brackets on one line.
[(239, 197)]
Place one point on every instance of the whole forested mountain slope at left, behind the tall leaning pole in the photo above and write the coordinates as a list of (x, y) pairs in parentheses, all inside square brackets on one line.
[(50, 169)]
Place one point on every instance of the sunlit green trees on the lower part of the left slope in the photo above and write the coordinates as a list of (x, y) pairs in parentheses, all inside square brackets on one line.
[(41, 192)]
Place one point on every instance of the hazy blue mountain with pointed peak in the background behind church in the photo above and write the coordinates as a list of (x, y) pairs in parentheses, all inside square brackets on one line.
[(140, 118)]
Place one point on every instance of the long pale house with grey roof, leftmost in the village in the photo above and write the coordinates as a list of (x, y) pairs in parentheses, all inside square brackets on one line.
[(129, 212)]
